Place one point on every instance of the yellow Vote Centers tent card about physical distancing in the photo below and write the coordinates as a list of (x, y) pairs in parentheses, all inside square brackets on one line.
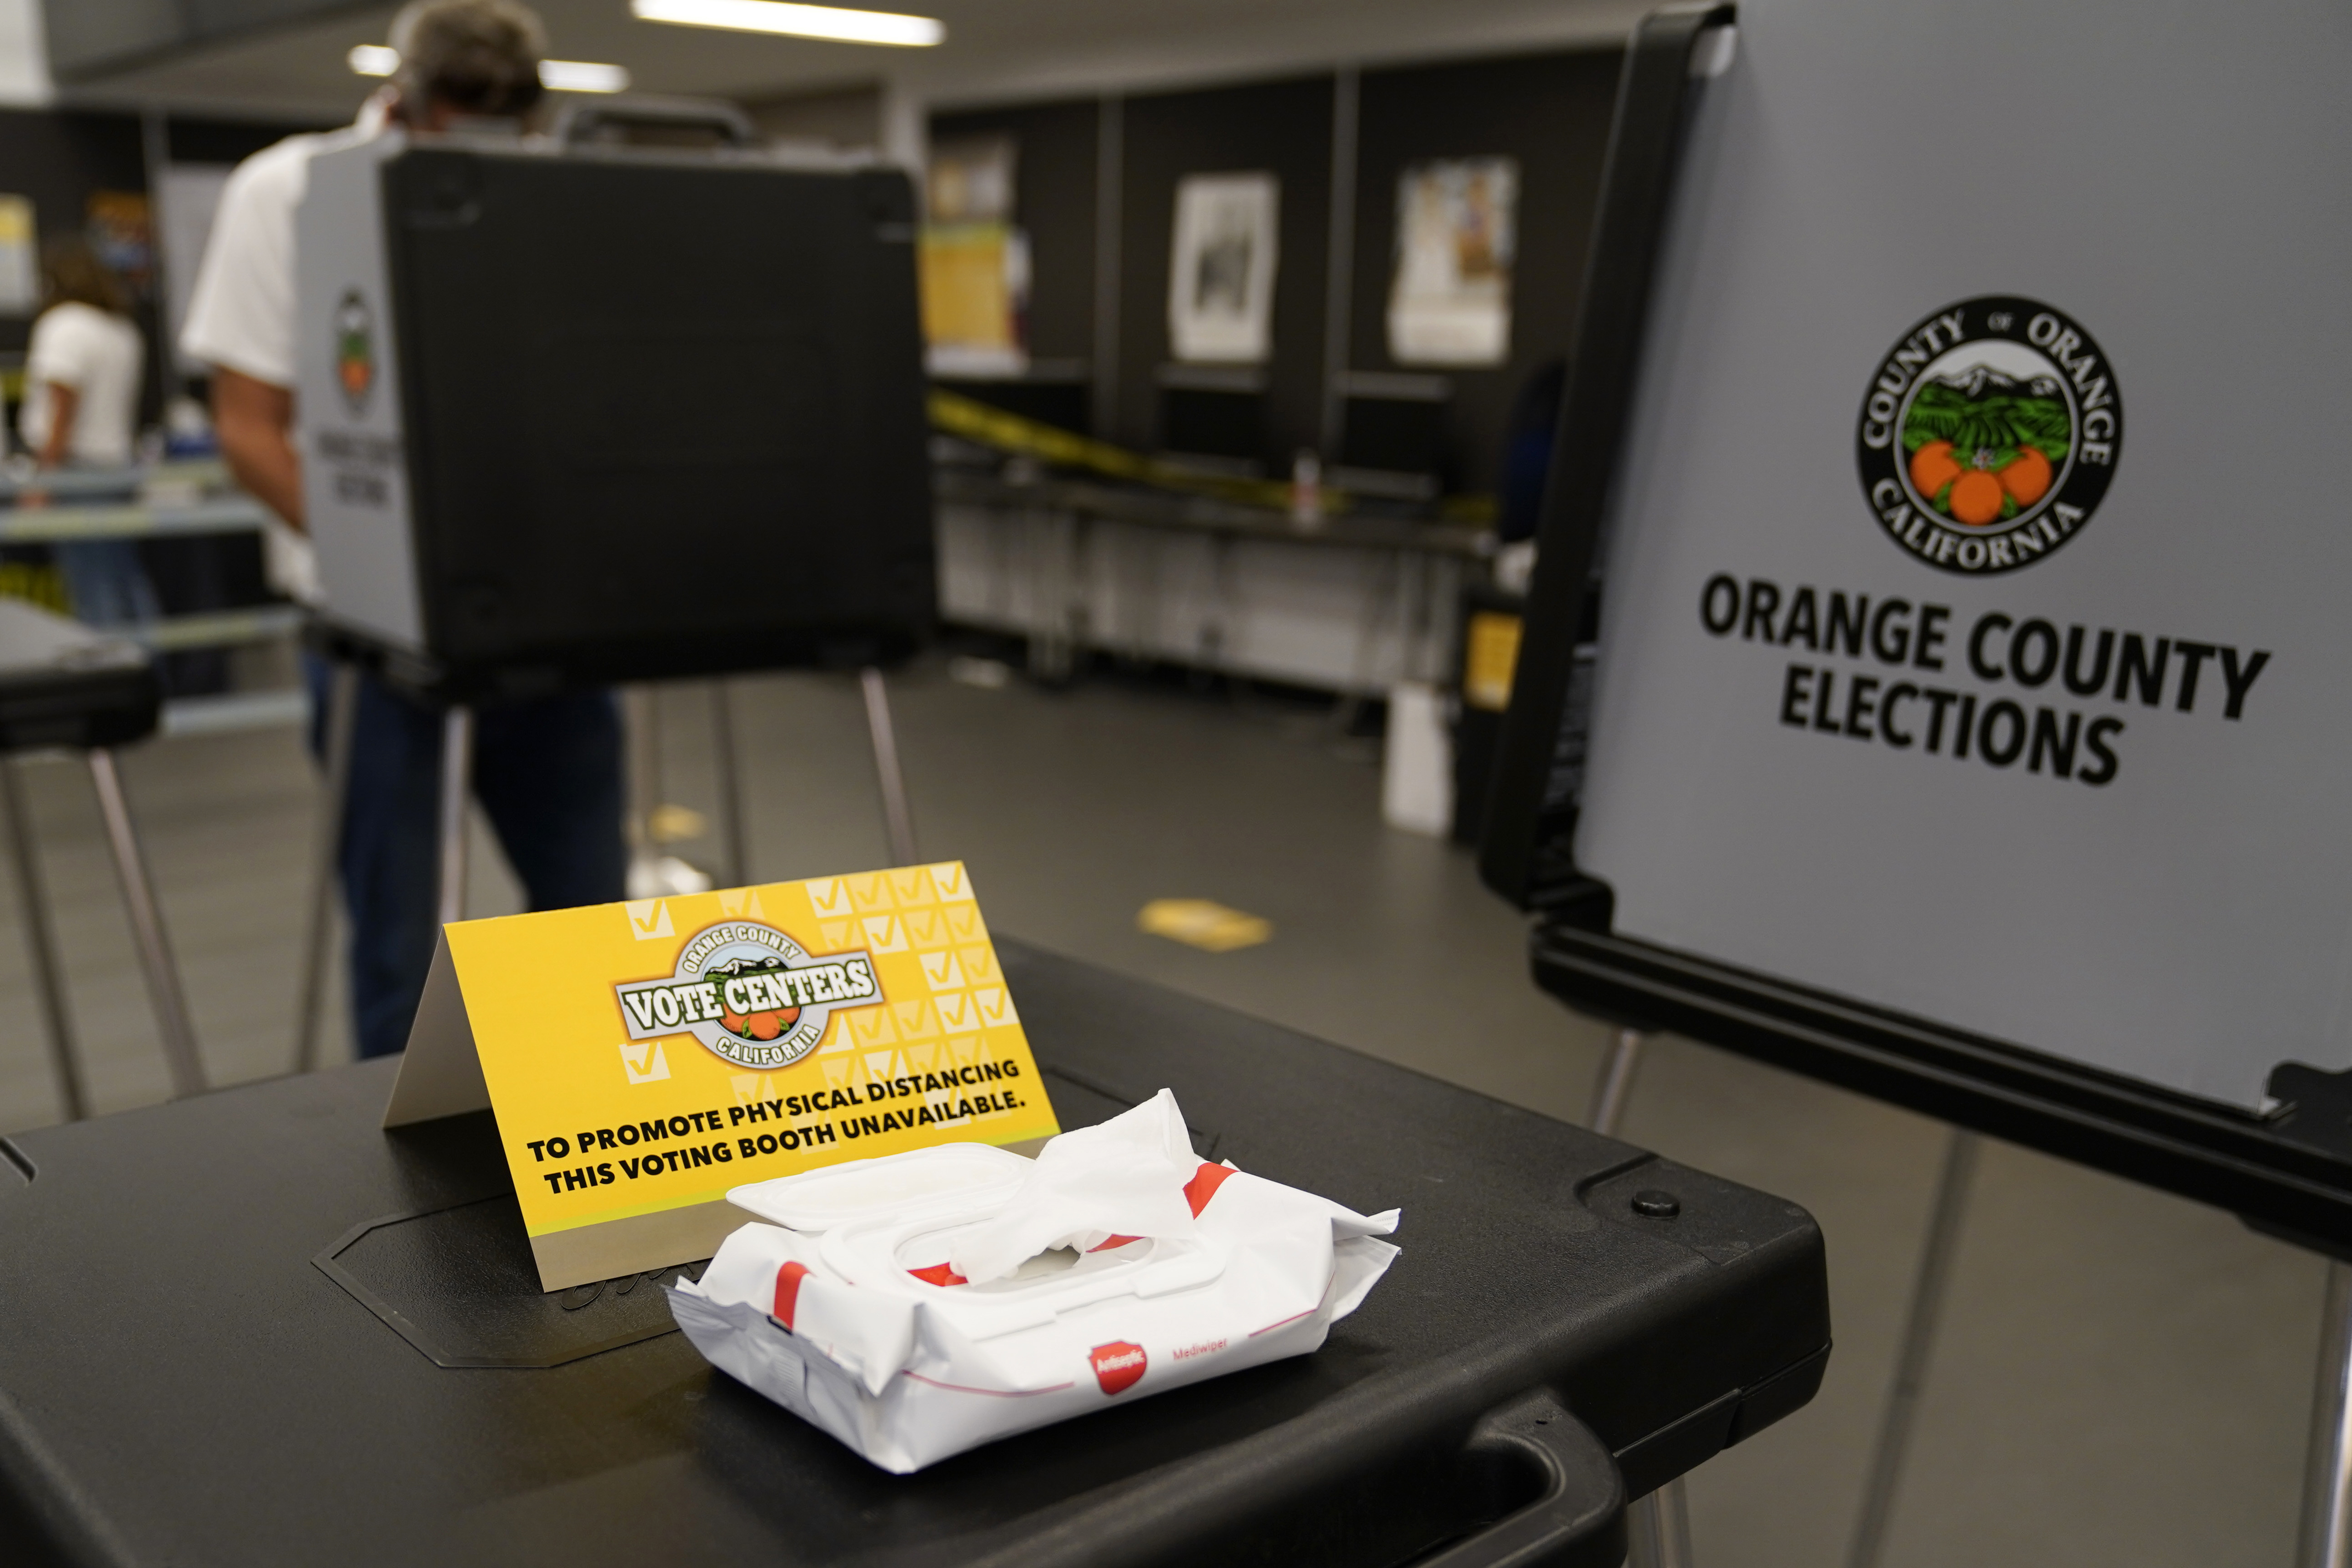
[(648, 1057)]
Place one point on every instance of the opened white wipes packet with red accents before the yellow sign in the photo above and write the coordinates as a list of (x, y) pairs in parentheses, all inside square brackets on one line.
[(937, 1301)]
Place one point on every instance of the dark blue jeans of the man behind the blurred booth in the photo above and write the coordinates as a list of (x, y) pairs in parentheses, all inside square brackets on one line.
[(549, 779)]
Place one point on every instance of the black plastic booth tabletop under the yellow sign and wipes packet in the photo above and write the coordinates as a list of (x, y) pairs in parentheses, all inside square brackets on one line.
[(236, 1329)]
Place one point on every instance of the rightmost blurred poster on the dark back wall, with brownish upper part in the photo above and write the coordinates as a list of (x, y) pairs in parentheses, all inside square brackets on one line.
[(1457, 229)]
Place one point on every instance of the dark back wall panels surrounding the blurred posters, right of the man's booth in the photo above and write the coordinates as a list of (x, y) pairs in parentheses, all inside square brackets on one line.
[(1551, 112)]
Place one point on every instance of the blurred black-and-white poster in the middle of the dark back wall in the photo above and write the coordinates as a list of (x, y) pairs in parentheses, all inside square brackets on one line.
[(1222, 269)]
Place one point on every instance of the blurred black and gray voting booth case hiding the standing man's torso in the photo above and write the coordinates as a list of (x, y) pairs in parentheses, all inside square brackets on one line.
[(584, 417)]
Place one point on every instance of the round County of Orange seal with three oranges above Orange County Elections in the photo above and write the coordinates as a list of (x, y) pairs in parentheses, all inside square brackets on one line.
[(1989, 436)]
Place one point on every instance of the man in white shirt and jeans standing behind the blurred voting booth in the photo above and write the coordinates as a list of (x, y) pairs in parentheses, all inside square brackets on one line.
[(549, 770)]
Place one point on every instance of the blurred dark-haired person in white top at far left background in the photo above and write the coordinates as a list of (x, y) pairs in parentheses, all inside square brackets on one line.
[(81, 408)]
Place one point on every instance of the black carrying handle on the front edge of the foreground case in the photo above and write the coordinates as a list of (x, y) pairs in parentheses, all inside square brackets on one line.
[(1579, 1517)]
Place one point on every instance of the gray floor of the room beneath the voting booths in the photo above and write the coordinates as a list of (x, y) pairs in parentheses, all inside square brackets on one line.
[(2125, 1379)]
